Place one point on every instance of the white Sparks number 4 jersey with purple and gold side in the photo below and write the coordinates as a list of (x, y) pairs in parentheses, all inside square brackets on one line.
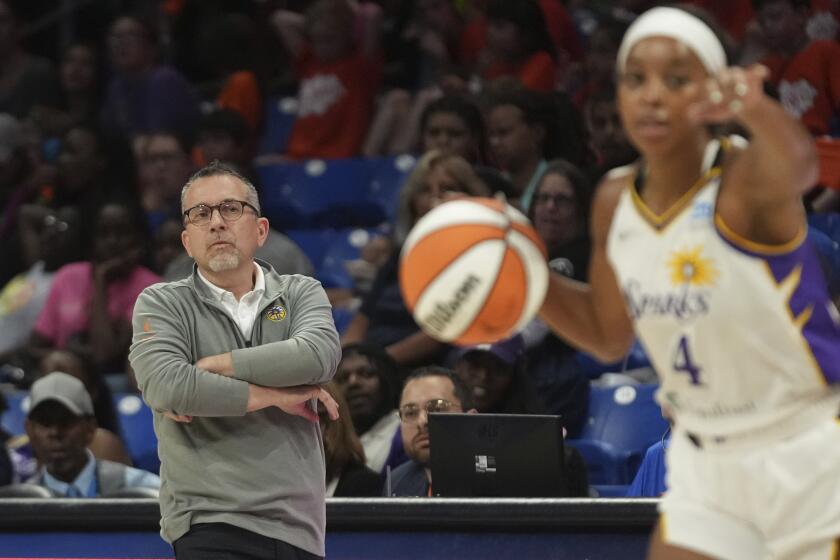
[(742, 335)]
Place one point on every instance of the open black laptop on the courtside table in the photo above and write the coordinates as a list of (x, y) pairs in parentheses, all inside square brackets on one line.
[(496, 455)]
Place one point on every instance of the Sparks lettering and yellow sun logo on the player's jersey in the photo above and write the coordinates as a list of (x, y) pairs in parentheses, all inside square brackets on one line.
[(690, 275)]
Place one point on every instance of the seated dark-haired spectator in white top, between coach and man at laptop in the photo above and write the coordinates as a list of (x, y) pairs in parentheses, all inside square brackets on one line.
[(368, 379)]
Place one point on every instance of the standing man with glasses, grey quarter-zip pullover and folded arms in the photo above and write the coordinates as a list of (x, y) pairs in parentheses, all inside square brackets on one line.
[(231, 359)]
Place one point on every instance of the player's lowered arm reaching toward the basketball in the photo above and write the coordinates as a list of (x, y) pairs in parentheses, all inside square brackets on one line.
[(593, 316)]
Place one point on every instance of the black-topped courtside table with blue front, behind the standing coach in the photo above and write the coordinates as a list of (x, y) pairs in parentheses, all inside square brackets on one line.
[(411, 528)]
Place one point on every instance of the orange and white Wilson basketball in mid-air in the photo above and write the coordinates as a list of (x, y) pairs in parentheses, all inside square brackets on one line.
[(473, 271)]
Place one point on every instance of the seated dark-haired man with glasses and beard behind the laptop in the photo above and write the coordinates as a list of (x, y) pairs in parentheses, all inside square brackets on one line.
[(429, 389)]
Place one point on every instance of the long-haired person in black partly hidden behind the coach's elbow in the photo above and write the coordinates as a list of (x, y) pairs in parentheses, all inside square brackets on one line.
[(347, 474)]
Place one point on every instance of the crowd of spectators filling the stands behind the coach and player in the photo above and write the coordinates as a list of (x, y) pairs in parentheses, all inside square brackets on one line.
[(101, 126)]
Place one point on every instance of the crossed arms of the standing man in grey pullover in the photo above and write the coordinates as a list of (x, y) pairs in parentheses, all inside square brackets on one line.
[(285, 374)]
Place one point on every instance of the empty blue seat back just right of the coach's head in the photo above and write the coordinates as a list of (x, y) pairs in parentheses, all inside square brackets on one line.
[(317, 194)]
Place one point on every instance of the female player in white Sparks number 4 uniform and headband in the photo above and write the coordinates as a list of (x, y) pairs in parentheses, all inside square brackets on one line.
[(699, 250)]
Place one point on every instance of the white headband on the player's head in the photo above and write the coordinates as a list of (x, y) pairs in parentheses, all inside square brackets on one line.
[(676, 24)]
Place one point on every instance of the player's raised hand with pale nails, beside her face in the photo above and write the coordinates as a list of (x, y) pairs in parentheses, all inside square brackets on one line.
[(729, 94)]
